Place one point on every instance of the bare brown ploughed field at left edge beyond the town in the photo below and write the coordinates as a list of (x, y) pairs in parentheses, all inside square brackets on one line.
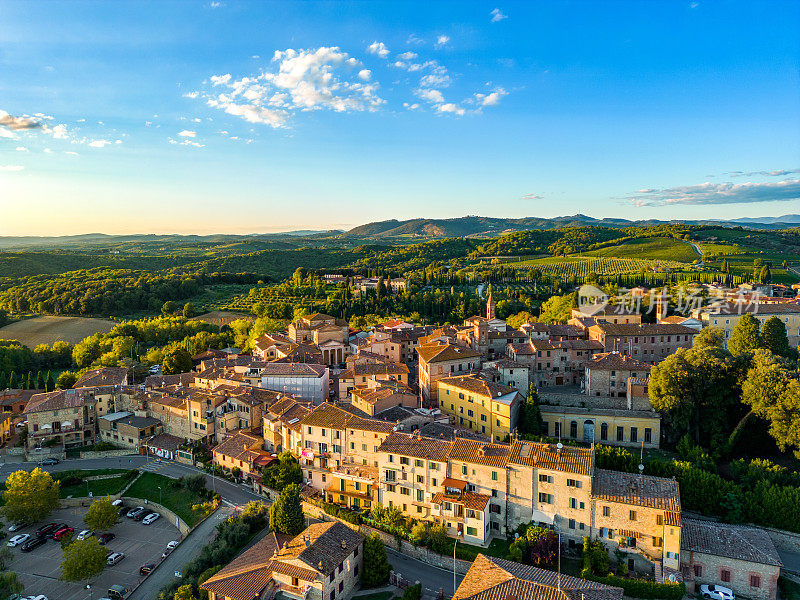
[(46, 330)]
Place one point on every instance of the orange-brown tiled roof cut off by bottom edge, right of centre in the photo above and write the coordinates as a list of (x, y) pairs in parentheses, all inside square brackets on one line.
[(491, 578)]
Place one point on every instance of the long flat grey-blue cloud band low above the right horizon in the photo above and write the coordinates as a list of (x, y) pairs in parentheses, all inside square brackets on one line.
[(719, 193)]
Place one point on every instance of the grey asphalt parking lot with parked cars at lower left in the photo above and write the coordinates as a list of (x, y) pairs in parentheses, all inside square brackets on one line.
[(39, 569)]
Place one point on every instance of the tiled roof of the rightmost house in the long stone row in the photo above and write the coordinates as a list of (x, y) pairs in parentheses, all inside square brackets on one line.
[(638, 490)]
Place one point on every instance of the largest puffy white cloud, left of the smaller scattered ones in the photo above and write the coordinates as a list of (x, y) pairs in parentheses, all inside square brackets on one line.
[(301, 80)]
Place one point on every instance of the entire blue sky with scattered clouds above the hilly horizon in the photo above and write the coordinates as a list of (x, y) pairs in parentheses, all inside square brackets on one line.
[(202, 117)]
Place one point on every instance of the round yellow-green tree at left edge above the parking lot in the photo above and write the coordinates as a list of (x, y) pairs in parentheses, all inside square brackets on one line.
[(30, 496)]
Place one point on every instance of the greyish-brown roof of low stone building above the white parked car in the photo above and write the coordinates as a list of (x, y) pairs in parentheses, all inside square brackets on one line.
[(729, 541)]
